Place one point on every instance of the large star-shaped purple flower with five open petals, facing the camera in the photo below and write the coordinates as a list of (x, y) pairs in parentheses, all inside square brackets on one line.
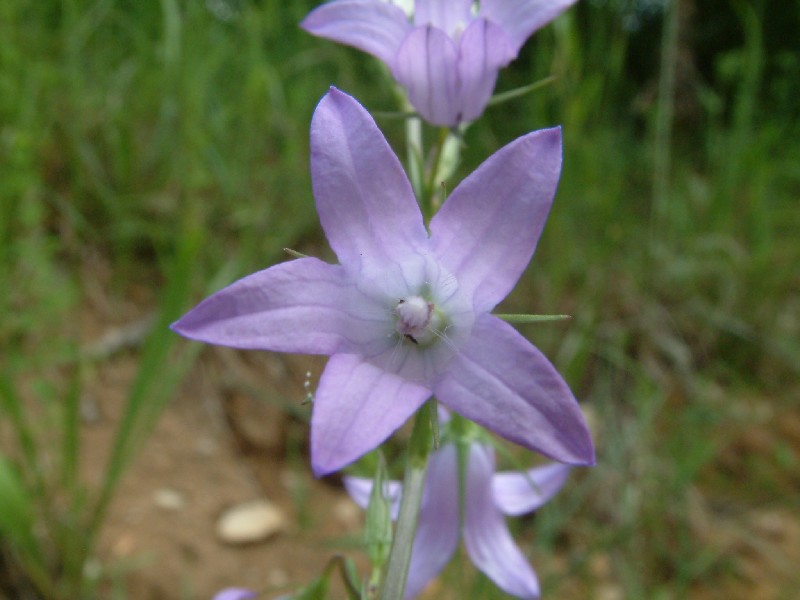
[(406, 313)]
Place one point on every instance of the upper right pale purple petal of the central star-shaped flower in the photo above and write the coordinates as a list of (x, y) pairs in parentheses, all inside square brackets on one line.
[(487, 230)]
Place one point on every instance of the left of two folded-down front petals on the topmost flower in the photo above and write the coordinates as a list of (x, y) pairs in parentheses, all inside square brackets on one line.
[(426, 66)]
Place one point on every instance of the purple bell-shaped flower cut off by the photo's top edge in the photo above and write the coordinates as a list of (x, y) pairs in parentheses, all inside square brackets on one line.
[(448, 56)]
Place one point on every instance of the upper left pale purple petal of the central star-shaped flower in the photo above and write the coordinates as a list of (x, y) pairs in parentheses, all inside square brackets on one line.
[(364, 199)]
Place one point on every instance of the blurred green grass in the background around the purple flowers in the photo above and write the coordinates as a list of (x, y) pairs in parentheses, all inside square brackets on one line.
[(173, 135)]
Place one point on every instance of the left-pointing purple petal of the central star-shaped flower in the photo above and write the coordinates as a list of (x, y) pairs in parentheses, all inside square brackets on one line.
[(296, 306)]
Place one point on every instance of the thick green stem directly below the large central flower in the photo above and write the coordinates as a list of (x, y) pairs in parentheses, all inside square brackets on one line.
[(419, 449)]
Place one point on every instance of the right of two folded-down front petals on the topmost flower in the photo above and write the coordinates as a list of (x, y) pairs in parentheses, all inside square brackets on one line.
[(484, 48)]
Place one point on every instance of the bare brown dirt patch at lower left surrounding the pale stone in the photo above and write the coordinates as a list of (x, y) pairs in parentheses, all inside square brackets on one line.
[(222, 440)]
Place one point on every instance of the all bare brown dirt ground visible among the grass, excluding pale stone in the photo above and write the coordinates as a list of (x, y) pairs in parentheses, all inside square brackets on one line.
[(224, 439)]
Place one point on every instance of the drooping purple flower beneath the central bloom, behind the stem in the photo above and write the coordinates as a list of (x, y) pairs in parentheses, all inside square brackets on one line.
[(487, 496)]
